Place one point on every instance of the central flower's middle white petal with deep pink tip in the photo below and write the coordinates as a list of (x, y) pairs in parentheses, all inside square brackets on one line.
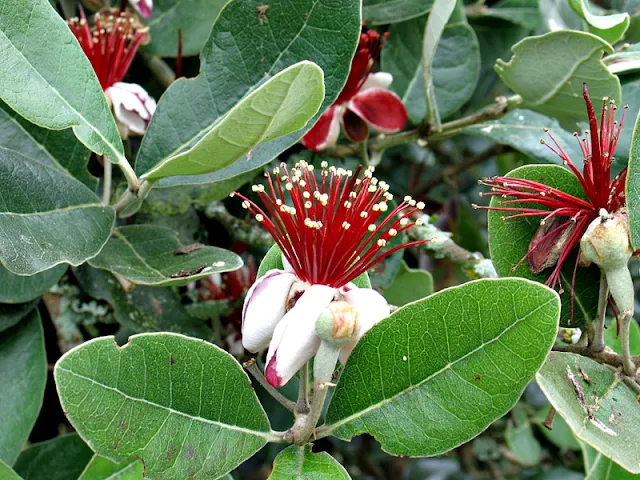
[(295, 340)]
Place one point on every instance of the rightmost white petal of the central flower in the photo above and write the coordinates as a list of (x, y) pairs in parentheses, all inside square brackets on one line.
[(371, 307)]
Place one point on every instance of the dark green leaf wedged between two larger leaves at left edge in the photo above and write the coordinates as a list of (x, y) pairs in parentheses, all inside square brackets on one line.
[(57, 148)]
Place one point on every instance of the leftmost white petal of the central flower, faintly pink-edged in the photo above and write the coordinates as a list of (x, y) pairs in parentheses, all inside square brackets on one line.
[(264, 306)]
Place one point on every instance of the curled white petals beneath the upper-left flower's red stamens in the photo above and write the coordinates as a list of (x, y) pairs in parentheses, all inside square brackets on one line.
[(132, 107)]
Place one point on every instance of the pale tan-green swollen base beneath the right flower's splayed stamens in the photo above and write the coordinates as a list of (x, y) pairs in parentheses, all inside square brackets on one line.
[(606, 242)]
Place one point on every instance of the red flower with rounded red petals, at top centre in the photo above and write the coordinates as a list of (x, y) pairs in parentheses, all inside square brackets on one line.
[(364, 101)]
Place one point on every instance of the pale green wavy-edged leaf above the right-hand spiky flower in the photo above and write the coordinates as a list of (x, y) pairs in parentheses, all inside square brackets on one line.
[(552, 84)]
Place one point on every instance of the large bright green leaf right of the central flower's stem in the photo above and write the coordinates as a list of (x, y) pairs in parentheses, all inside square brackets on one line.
[(439, 371)]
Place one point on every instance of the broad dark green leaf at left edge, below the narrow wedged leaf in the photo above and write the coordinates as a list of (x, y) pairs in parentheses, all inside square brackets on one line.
[(47, 217)]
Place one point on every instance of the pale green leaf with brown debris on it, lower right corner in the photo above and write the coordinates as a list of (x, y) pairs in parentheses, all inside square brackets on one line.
[(602, 413)]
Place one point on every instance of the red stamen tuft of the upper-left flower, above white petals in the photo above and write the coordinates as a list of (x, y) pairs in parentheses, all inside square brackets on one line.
[(112, 42)]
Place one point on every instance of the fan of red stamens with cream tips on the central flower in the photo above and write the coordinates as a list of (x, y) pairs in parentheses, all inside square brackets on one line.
[(334, 227)]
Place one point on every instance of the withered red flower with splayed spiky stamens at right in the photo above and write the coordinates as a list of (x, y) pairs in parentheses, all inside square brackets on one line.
[(565, 218)]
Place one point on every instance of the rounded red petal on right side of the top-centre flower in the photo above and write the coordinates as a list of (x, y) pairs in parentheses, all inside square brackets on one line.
[(381, 109)]
